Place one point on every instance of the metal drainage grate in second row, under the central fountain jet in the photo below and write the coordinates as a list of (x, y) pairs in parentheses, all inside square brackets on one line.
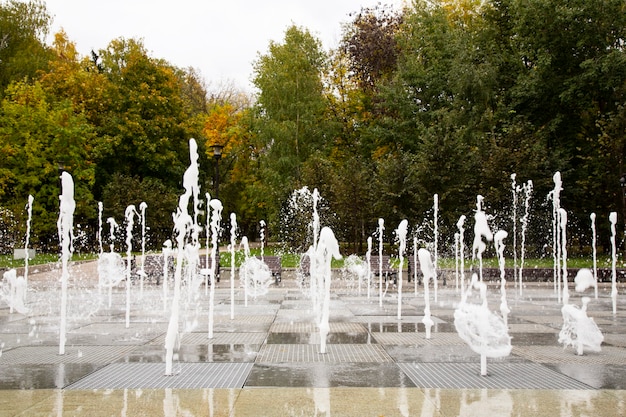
[(310, 353)]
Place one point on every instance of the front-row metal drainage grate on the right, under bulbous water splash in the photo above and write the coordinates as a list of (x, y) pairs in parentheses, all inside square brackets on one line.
[(501, 376)]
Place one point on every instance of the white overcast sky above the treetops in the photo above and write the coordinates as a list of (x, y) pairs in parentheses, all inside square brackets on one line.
[(220, 38)]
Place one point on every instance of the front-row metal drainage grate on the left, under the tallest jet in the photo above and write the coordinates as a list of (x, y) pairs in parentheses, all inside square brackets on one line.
[(150, 376)]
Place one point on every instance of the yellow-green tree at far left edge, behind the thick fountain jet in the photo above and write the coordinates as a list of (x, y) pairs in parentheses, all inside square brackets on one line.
[(40, 137)]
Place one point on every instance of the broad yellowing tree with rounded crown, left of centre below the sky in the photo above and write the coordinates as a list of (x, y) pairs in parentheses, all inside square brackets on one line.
[(145, 127)]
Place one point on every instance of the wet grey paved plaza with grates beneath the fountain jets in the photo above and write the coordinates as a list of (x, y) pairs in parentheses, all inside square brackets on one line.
[(265, 361)]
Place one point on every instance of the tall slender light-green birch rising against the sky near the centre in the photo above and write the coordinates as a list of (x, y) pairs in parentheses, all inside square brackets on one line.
[(290, 110)]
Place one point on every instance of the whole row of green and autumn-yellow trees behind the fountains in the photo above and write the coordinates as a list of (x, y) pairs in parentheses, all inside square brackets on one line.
[(448, 97)]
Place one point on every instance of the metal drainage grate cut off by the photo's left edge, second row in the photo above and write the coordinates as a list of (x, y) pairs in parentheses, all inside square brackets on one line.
[(73, 354)]
